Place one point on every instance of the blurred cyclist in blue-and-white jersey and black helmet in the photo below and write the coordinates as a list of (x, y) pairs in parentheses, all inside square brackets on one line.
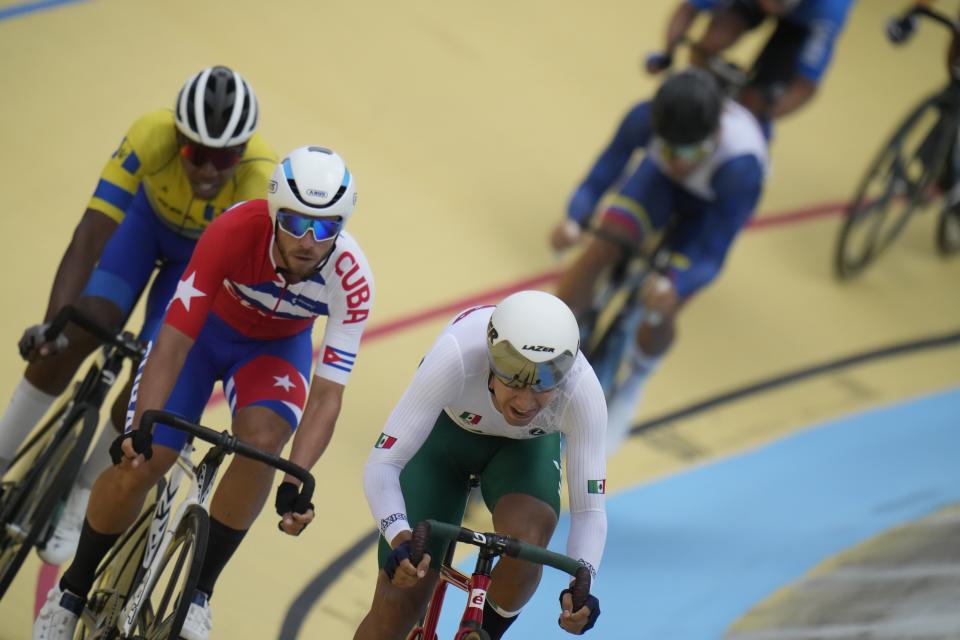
[(703, 172)]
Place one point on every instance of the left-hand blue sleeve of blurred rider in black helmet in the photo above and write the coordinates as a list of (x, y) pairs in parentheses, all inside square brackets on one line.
[(633, 133)]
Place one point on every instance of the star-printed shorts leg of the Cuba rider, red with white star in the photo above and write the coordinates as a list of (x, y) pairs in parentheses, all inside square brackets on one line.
[(273, 374)]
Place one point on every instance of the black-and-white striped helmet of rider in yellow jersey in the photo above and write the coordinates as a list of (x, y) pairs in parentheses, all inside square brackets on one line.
[(216, 108)]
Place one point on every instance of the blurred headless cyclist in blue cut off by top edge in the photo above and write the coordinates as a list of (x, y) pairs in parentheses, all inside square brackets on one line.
[(786, 74)]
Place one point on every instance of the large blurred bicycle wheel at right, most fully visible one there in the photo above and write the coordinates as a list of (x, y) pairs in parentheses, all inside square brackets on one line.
[(899, 180)]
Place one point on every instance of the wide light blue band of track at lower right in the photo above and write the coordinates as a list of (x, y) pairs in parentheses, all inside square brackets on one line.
[(688, 555)]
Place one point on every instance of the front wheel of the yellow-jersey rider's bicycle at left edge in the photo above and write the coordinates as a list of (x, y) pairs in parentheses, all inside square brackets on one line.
[(30, 502)]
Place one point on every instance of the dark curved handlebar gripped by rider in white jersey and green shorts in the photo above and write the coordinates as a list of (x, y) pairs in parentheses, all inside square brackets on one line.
[(505, 545)]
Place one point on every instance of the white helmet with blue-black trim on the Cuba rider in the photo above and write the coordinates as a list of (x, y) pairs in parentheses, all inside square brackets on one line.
[(312, 181)]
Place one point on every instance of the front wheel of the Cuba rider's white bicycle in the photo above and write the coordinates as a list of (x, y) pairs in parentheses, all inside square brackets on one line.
[(165, 606)]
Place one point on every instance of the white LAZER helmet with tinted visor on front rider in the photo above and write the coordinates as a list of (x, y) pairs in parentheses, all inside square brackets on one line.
[(532, 340)]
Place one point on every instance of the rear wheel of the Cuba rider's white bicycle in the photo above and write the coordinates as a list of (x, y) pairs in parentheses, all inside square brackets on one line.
[(115, 578)]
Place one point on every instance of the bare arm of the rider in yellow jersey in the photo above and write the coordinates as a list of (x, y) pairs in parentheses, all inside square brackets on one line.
[(78, 261)]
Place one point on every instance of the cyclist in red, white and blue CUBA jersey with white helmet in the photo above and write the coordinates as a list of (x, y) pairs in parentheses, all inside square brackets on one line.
[(242, 313)]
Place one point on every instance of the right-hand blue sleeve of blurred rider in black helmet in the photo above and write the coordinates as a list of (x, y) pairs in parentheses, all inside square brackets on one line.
[(737, 185)]
